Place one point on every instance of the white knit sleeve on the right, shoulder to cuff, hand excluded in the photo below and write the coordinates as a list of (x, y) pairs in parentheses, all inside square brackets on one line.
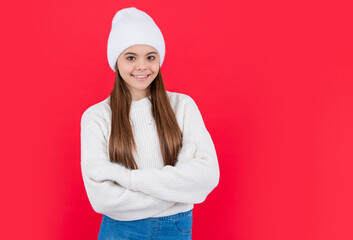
[(189, 181)]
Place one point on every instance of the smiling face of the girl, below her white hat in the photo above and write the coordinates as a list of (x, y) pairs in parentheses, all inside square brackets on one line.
[(138, 65)]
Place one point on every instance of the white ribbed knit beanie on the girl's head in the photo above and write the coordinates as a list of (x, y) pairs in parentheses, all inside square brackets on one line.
[(131, 26)]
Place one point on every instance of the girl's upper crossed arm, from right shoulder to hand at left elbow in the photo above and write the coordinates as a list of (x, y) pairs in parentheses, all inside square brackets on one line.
[(195, 175)]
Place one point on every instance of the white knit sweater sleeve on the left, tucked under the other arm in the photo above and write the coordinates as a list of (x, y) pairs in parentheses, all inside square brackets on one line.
[(106, 196)]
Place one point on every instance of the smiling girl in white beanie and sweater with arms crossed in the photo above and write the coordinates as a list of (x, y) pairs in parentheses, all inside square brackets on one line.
[(146, 155)]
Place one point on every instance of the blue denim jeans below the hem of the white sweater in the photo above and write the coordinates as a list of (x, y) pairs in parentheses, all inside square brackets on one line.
[(173, 227)]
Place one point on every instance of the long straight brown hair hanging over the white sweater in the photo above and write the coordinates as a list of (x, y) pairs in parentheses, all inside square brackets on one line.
[(122, 143)]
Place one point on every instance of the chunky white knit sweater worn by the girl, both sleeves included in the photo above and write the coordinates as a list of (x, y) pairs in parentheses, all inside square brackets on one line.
[(153, 190)]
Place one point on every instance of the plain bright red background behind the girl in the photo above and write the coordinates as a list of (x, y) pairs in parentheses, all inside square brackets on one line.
[(272, 79)]
